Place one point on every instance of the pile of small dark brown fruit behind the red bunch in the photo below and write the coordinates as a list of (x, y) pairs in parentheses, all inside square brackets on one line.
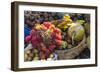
[(32, 17)]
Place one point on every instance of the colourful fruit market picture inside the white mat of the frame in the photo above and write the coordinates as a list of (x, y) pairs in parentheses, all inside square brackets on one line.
[(56, 36)]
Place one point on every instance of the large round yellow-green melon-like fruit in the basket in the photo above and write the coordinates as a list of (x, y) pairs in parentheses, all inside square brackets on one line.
[(77, 31)]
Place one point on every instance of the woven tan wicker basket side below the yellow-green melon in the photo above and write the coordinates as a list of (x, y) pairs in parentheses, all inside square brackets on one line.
[(73, 52)]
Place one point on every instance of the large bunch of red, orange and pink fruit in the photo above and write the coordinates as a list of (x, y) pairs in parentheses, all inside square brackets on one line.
[(45, 38)]
